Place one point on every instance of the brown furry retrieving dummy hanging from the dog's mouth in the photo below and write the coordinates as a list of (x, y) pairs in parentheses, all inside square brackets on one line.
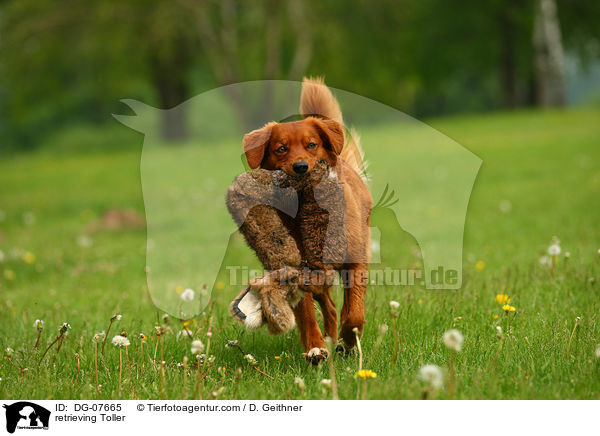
[(261, 202)]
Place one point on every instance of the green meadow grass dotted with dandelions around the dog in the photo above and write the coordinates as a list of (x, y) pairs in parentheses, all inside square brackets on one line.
[(544, 163)]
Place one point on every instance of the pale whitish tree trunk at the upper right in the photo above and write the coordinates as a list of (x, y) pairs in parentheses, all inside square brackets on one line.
[(549, 64)]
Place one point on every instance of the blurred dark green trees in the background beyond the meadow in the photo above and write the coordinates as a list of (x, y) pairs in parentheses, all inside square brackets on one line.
[(64, 67)]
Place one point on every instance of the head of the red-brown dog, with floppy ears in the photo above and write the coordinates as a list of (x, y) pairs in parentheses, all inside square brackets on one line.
[(294, 147)]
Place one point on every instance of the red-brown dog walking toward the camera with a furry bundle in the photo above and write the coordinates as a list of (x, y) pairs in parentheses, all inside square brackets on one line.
[(295, 148)]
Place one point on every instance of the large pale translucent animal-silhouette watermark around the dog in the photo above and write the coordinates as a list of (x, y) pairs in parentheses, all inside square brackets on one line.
[(422, 178)]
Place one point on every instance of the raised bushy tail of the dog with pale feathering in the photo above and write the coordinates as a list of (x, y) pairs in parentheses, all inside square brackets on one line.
[(316, 100)]
